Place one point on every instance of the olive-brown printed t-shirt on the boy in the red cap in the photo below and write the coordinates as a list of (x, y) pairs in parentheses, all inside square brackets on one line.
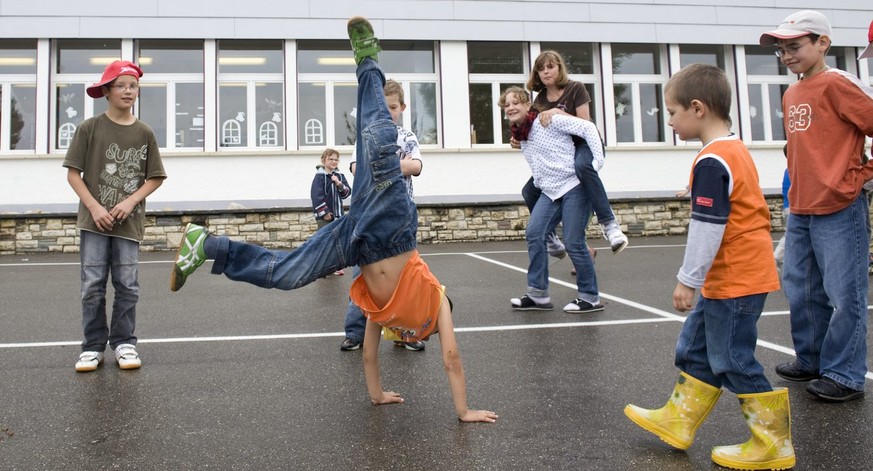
[(115, 161)]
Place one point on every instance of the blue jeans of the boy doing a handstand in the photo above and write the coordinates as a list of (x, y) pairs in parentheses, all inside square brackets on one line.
[(381, 223)]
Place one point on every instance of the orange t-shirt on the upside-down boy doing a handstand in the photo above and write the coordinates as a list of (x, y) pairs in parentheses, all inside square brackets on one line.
[(411, 313)]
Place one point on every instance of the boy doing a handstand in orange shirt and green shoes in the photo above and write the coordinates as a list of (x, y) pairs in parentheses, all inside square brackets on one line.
[(396, 289)]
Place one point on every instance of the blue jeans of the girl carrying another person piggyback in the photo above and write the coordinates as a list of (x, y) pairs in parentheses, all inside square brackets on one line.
[(575, 210)]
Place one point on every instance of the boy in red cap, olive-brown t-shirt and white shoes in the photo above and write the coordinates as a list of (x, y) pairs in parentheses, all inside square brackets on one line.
[(113, 164)]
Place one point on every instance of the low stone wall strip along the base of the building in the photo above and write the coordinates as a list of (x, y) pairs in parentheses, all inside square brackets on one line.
[(285, 228)]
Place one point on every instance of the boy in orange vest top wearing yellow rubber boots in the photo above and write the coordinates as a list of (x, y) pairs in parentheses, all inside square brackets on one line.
[(729, 257)]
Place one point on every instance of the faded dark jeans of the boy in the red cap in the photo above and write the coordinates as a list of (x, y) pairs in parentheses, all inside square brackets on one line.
[(101, 256)]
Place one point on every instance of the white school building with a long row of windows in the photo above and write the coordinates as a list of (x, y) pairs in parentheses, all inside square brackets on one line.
[(245, 96)]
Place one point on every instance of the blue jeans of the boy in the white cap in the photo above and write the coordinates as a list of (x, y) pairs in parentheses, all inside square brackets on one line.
[(824, 276)]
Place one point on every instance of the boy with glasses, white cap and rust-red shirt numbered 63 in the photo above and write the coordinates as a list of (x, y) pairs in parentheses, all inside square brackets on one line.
[(828, 114)]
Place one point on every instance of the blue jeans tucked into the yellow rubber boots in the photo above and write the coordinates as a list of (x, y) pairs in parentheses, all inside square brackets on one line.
[(717, 344)]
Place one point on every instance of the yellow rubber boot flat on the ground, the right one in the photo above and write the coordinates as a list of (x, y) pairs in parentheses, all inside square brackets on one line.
[(769, 418)]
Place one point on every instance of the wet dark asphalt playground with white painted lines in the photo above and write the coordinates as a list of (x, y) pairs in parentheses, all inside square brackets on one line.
[(236, 377)]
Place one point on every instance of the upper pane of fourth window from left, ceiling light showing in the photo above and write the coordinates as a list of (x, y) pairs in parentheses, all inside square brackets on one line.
[(250, 56)]
